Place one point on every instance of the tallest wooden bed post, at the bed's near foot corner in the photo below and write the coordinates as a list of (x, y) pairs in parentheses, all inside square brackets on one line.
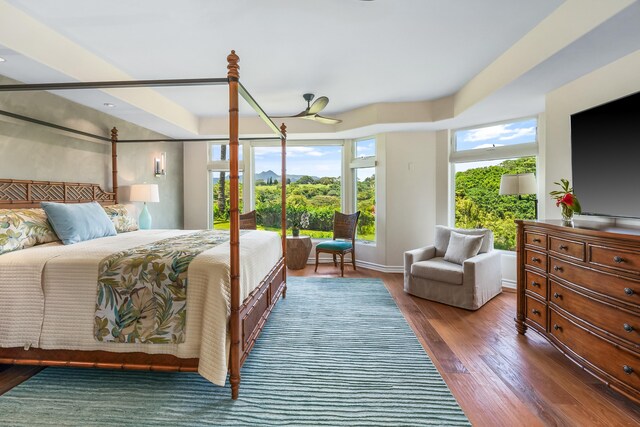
[(235, 355)]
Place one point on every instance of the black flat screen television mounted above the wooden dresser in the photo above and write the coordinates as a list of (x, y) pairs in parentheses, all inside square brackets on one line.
[(605, 155)]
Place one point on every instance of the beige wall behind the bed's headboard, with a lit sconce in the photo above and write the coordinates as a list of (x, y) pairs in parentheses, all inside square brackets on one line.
[(31, 151)]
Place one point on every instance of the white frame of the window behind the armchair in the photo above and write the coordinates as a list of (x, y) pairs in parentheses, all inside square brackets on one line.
[(489, 154)]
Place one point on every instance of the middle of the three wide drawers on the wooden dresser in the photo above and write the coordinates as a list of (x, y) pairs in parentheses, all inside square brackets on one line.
[(622, 323)]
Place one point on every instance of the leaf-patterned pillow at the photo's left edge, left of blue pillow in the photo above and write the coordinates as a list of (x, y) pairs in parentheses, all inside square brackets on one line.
[(23, 228)]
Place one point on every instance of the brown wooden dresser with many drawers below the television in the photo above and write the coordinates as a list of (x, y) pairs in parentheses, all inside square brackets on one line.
[(579, 287)]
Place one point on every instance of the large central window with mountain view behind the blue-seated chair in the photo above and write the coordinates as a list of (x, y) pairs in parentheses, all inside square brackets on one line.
[(314, 186)]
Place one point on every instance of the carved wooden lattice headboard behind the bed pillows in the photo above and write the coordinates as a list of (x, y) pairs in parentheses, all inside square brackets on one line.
[(28, 194)]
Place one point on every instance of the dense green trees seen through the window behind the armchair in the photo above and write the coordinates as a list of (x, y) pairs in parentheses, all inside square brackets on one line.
[(479, 204)]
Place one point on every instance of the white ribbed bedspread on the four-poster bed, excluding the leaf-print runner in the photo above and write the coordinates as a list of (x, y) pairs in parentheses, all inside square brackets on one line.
[(48, 296)]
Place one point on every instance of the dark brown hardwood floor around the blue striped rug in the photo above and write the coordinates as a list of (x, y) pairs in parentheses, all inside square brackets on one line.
[(499, 378)]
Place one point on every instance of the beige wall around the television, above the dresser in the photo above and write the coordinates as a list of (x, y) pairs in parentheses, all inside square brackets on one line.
[(610, 82)]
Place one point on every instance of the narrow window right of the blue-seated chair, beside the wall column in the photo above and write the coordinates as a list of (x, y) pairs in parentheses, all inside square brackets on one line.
[(364, 172)]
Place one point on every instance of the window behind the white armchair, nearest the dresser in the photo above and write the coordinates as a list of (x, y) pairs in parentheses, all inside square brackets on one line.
[(480, 157)]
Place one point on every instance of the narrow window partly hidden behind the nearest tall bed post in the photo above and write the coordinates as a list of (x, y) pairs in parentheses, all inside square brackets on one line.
[(220, 184)]
